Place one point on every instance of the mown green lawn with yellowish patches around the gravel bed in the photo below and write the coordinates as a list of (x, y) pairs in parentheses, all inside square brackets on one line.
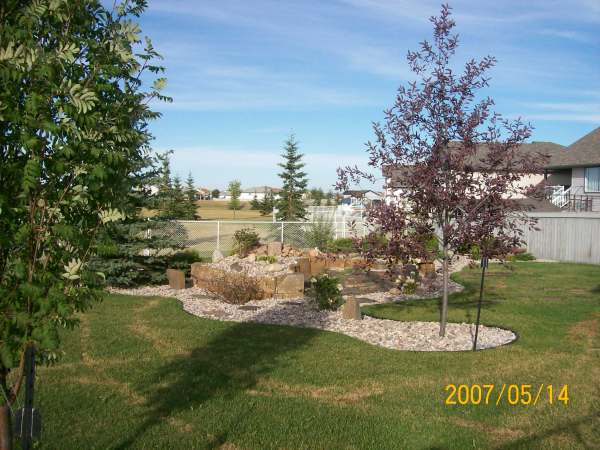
[(141, 373)]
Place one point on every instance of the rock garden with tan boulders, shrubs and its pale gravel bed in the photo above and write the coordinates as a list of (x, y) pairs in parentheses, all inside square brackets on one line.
[(283, 285)]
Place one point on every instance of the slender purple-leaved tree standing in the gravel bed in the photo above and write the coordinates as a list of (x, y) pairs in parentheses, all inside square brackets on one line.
[(458, 161)]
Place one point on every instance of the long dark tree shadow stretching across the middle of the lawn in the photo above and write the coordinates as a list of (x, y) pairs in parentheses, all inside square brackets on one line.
[(228, 365)]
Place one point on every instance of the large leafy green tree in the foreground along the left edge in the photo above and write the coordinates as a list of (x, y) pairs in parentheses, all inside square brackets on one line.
[(74, 132)]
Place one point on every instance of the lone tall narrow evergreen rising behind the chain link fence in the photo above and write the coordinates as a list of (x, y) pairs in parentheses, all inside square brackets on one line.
[(290, 204)]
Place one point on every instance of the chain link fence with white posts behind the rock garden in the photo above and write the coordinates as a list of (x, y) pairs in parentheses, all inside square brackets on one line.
[(207, 236)]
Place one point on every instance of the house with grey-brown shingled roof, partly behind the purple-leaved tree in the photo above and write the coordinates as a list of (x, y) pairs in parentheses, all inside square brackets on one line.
[(570, 176)]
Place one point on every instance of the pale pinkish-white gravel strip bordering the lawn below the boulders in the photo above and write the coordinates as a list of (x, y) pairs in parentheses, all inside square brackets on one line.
[(413, 336)]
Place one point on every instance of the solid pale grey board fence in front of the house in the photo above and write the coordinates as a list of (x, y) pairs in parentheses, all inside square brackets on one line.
[(563, 236)]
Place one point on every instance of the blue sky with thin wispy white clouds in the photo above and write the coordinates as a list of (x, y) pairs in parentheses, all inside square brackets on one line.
[(244, 74)]
